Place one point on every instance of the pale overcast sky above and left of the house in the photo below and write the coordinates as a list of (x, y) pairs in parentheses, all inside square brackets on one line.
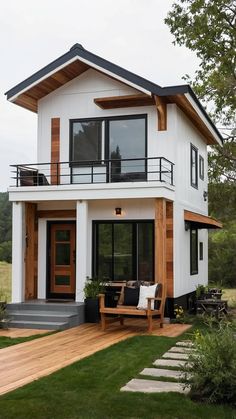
[(130, 33)]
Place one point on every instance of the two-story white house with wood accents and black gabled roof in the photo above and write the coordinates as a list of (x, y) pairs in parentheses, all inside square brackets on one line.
[(119, 189)]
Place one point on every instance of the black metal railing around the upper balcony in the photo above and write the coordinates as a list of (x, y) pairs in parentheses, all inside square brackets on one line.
[(149, 169)]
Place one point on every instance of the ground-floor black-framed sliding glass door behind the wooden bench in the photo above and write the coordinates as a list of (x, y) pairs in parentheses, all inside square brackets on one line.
[(123, 250)]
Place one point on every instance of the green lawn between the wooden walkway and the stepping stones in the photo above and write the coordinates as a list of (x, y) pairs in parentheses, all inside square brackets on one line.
[(90, 388)]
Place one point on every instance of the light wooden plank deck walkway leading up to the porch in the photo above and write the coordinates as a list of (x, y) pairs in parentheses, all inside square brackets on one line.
[(26, 362)]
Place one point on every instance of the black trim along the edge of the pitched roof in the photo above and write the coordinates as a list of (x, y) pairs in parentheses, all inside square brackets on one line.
[(78, 51)]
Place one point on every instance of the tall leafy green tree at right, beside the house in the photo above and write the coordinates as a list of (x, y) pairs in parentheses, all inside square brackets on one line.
[(208, 28)]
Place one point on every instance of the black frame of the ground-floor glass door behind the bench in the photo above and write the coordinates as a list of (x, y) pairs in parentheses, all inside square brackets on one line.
[(134, 245)]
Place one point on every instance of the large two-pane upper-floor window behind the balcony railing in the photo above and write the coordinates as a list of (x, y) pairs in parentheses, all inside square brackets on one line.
[(121, 141)]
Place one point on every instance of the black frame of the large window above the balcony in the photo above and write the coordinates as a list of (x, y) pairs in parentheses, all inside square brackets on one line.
[(106, 120)]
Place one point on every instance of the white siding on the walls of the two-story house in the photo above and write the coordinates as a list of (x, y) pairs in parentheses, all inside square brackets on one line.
[(76, 100)]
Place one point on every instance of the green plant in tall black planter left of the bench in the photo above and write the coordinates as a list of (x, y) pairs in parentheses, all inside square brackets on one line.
[(93, 287)]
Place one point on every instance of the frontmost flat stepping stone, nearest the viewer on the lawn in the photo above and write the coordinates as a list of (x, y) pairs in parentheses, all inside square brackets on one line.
[(153, 386)]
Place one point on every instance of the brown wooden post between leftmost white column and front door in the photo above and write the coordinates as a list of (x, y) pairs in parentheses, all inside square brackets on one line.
[(31, 251)]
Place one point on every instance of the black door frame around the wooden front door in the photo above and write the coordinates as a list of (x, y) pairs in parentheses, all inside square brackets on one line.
[(48, 248)]
